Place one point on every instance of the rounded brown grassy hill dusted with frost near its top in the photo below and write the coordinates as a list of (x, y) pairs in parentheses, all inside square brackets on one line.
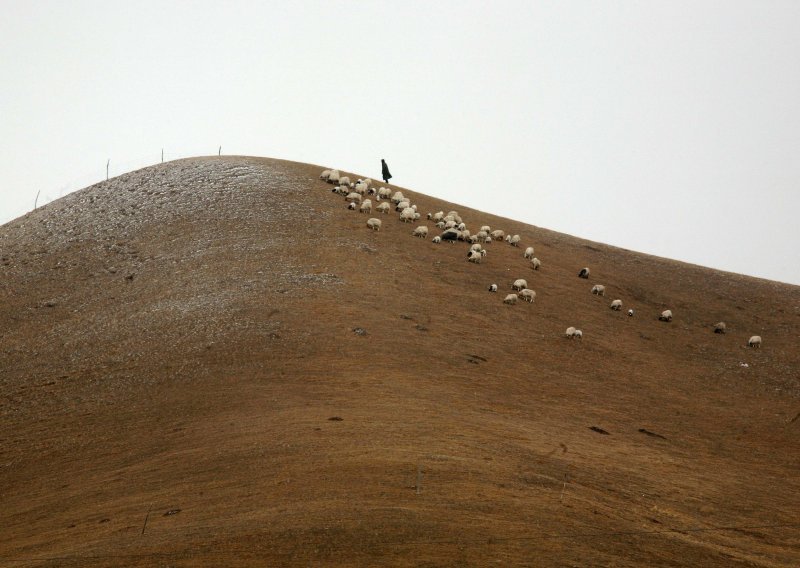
[(213, 362)]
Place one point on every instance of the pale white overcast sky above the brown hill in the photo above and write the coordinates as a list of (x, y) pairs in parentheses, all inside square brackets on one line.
[(671, 128)]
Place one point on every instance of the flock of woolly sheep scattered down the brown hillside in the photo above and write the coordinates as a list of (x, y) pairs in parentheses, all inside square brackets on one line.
[(358, 196)]
